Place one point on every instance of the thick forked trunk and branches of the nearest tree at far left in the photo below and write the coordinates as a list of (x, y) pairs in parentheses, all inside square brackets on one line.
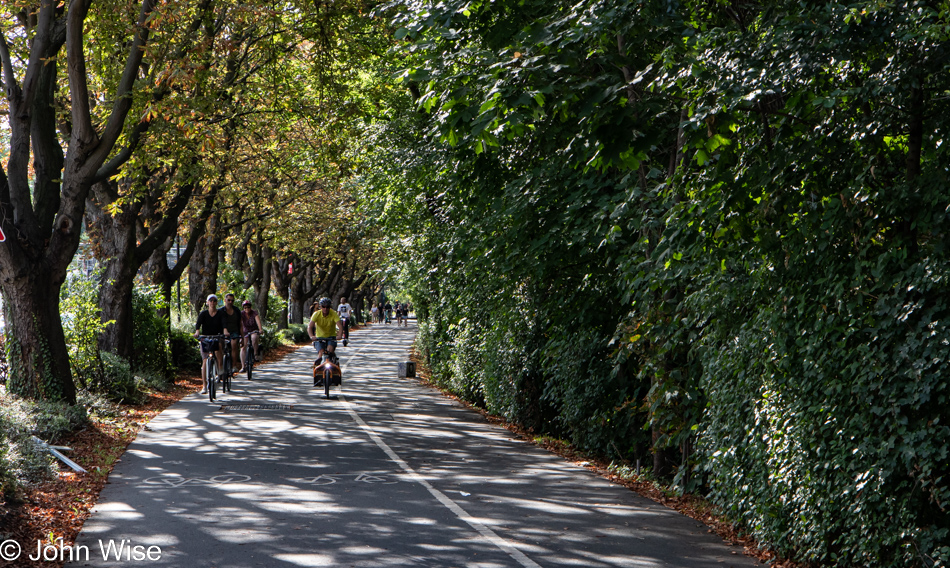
[(43, 200)]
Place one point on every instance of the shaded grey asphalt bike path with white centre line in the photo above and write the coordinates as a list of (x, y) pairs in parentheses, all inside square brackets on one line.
[(387, 473)]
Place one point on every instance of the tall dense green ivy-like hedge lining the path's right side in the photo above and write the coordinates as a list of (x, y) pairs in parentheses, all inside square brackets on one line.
[(674, 239)]
